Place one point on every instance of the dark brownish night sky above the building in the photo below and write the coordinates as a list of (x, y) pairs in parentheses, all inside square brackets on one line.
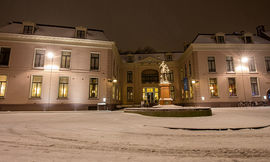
[(163, 25)]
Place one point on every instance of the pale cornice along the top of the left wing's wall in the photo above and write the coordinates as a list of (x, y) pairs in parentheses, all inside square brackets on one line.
[(56, 40)]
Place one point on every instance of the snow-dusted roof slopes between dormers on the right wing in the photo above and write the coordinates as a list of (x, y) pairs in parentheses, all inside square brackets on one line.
[(229, 39)]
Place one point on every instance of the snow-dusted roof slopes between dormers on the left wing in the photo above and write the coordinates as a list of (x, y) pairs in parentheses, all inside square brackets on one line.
[(54, 31)]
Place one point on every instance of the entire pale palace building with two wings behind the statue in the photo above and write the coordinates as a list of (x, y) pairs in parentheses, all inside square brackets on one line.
[(49, 67)]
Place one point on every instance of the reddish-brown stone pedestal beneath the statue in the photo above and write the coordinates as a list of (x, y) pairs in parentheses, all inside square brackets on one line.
[(165, 98)]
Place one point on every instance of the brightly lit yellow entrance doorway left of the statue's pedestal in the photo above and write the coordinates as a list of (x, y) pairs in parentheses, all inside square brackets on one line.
[(150, 96)]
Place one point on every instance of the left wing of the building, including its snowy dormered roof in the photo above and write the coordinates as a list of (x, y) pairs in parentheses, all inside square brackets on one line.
[(45, 67)]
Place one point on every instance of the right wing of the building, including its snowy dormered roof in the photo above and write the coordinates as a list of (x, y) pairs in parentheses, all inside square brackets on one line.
[(226, 69)]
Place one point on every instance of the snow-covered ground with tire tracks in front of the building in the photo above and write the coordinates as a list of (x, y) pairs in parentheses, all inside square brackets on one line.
[(117, 136)]
